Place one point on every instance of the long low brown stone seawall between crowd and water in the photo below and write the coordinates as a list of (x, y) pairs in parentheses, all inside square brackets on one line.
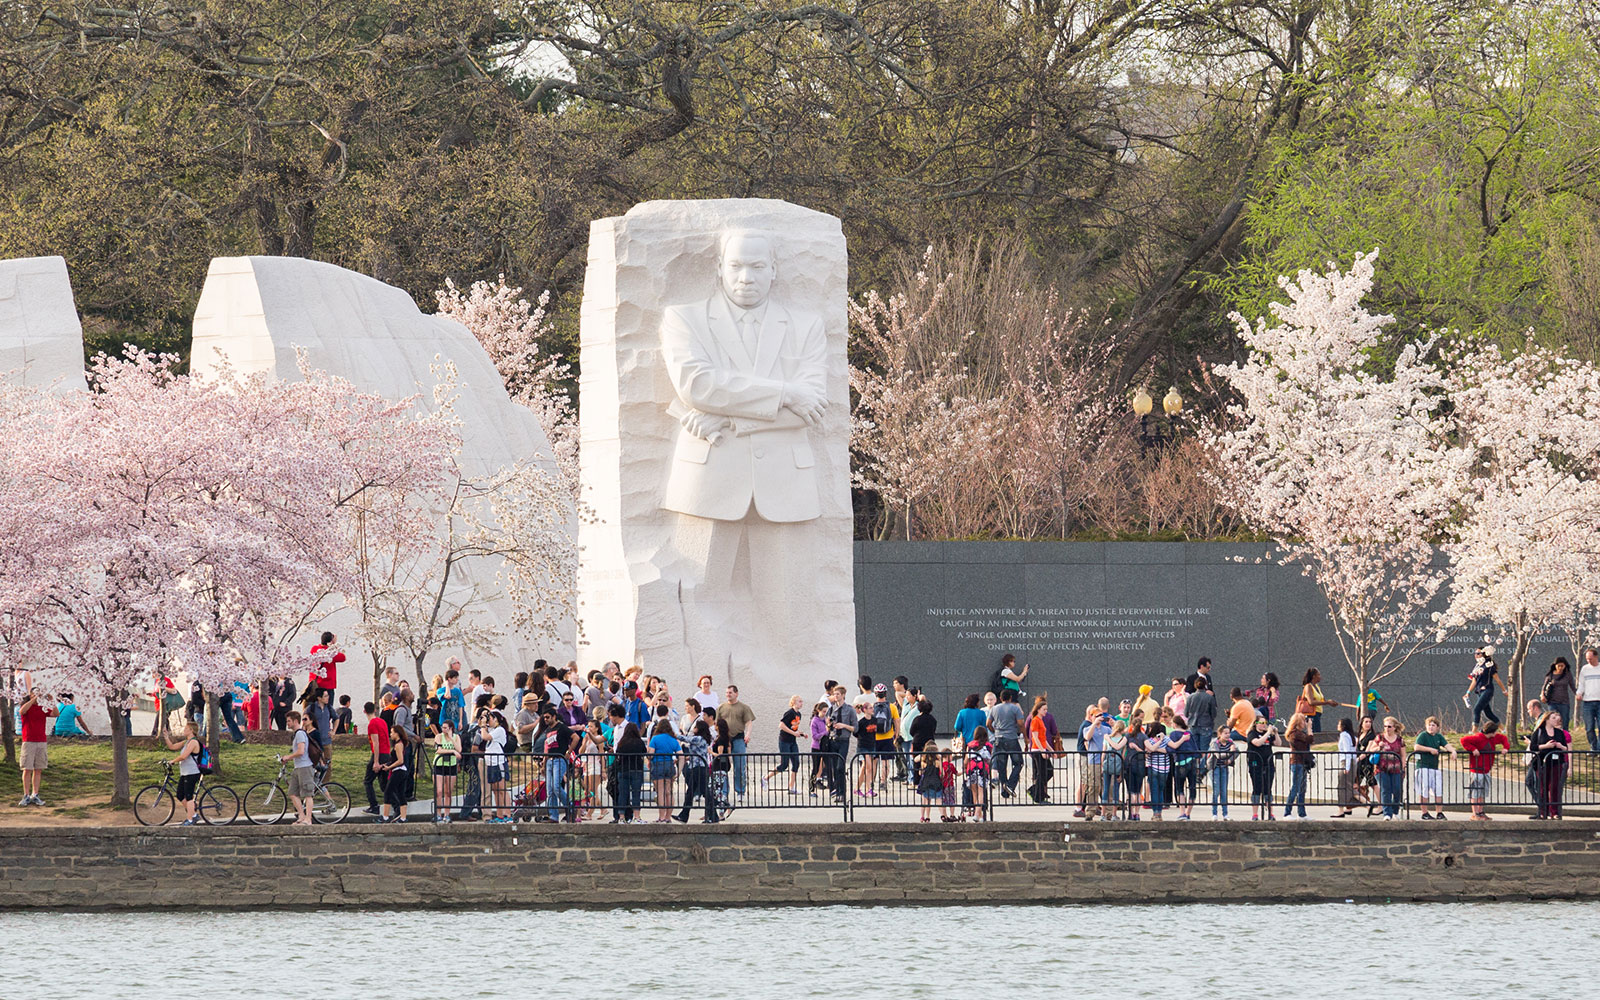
[(249, 868)]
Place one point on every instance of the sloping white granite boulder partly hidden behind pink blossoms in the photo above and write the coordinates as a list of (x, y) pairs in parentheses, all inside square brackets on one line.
[(257, 311)]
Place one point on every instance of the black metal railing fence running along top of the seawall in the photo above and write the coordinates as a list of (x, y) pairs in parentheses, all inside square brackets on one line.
[(1006, 785)]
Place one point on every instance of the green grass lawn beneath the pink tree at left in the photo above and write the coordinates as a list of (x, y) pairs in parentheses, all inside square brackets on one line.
[(79, 780)]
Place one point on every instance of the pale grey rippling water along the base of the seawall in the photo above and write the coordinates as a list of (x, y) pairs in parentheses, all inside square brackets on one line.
[(759, 954)]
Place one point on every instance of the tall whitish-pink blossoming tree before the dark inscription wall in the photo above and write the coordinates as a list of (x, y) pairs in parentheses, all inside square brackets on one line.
[(1345, 465)]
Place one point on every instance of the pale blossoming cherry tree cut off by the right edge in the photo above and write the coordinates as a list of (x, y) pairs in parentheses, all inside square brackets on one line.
[(1522, 556)]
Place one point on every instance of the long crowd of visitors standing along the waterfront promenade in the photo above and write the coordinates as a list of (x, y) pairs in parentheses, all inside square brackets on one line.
[(561, 742)]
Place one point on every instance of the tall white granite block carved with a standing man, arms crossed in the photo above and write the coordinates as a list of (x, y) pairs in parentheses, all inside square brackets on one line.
[(716, 434)]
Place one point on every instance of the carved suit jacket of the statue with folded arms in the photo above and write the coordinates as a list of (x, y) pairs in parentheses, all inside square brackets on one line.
[(767, 455)]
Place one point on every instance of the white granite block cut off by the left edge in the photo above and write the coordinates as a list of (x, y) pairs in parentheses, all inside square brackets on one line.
[(41, 337)]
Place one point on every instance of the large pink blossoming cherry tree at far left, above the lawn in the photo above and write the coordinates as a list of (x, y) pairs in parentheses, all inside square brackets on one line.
[(172, 518)]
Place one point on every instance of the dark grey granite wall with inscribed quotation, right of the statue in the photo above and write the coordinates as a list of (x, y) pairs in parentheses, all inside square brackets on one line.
[(1103, 618)]
